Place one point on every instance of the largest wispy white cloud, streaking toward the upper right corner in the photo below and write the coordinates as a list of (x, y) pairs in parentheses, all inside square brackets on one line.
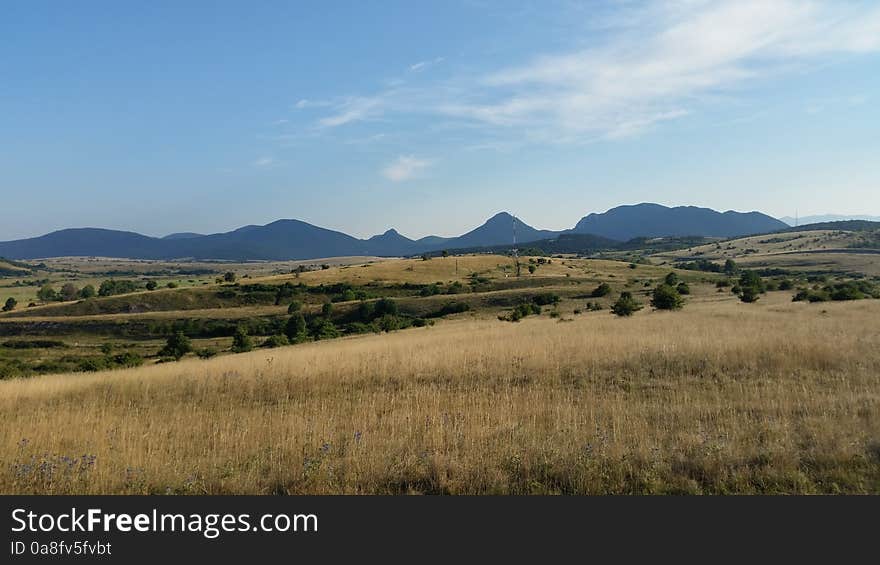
[(659, 63)]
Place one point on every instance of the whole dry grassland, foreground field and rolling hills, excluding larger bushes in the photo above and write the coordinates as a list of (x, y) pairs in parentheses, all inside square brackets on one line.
[(721, 397)]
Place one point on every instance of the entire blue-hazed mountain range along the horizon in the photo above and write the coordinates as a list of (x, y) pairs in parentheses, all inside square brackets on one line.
[(295, 239)]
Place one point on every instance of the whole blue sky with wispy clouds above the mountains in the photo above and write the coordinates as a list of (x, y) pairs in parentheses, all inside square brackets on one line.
[(429, 117)]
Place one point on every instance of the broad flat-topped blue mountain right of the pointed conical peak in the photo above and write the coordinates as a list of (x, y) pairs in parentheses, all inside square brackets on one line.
[(653, 220)]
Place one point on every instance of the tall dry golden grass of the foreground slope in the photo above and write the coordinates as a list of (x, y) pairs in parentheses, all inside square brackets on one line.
[(721, 397)]
